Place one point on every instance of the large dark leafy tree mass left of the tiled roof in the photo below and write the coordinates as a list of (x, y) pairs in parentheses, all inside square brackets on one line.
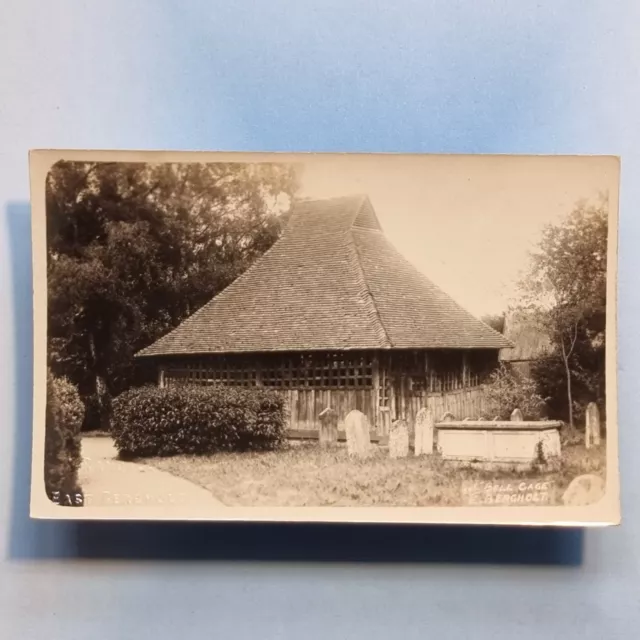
[(133, 249)]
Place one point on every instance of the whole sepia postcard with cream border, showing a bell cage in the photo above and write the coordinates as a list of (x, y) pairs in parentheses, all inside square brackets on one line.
[(325, 337)]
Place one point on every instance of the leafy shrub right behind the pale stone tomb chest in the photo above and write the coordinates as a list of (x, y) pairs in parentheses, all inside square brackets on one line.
[(508, 389)]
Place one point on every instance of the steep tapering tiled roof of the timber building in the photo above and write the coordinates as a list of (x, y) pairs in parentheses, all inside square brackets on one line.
[(332, 282)]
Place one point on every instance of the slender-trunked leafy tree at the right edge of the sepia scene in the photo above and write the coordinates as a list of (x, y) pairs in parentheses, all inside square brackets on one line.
[(566, 288)]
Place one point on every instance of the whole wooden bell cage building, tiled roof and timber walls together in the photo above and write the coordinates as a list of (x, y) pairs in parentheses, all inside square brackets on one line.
[(333, 316)]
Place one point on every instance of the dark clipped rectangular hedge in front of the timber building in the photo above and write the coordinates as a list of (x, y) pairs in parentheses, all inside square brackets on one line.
[(153, 421)]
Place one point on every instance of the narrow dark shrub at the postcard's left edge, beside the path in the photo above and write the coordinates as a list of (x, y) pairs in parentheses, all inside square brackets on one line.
[(64, 415)]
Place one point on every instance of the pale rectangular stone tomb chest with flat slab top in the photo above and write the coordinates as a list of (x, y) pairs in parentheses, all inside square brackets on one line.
[(503, 442)]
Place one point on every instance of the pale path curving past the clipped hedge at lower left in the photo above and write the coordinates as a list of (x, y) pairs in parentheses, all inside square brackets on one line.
[(107, 481)]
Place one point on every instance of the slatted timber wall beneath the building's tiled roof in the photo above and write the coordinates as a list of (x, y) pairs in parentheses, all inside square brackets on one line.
[(384, 384)]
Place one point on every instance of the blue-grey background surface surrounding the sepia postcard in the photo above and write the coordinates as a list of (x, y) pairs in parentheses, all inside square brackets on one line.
[(558, 76)]
